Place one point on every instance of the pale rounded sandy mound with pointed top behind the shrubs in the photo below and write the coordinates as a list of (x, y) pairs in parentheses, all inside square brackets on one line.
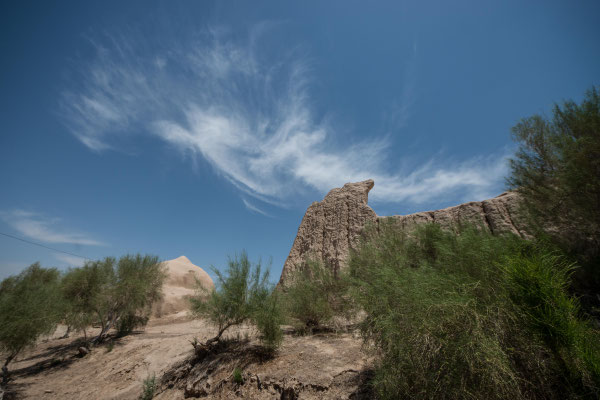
[(179, 285)]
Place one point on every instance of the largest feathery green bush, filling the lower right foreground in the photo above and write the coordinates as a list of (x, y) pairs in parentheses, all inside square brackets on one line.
[(452, 316)]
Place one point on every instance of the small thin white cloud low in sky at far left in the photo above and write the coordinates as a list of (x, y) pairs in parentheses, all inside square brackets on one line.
[(44, 229)]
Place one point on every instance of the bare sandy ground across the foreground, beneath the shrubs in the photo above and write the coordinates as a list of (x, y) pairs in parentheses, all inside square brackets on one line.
[(52, 370)]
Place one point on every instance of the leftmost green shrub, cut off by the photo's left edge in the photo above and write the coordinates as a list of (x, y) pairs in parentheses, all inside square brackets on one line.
[(29, 308)]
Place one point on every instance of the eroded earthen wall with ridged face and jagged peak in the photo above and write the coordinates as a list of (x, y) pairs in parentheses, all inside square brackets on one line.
[(332, 227)]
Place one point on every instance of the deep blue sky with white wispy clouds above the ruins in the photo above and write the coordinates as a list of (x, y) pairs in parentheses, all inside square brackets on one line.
[(204, 128)]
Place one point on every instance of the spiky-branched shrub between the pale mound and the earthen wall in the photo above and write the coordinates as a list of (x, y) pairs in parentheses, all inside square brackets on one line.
[(242, 294)]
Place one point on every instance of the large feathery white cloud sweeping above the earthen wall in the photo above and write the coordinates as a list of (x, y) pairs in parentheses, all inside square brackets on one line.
[(223, 100)]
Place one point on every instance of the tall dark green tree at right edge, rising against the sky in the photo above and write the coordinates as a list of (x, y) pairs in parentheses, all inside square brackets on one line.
[(557, 172)]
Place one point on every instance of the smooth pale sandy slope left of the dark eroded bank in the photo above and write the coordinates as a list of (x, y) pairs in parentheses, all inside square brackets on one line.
[(52, 370)]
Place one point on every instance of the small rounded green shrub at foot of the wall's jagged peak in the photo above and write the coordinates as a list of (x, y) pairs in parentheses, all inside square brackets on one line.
[(314, 296)]
